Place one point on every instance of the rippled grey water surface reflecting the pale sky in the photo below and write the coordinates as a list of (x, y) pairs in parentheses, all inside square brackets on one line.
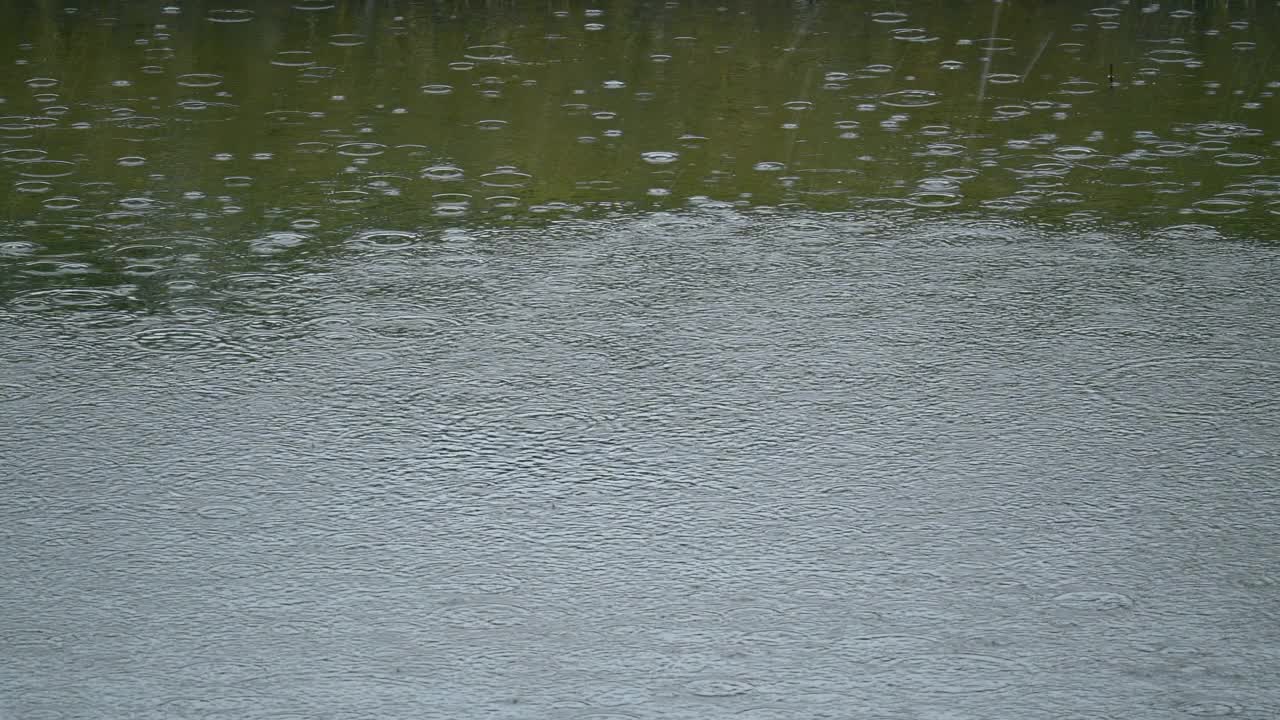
[(714, 464)]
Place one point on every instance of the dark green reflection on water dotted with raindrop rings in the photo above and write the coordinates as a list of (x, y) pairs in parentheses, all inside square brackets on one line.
[(138, 138)]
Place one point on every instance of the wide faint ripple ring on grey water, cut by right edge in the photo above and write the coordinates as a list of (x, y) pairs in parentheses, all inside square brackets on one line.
[(1194, 386)]
